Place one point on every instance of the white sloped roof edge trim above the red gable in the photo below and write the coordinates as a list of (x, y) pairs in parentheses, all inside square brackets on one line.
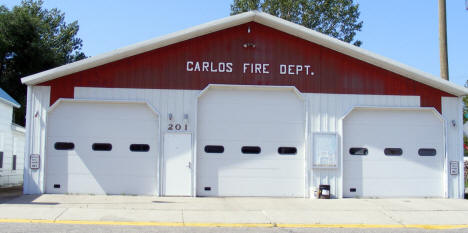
[(262, 18)]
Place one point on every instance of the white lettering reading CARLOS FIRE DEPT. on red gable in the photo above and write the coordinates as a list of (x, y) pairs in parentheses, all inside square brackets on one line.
[(248, 68)]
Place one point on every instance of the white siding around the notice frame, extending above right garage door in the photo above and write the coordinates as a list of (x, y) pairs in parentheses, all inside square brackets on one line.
[(325, 112)]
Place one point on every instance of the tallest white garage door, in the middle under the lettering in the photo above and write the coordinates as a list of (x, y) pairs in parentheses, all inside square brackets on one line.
[(250, 143)]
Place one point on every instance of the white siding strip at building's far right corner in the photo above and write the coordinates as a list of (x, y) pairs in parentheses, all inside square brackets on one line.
[(452, 110)]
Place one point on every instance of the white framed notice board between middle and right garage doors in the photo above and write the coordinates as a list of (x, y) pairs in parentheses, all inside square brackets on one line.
[(325, 150)]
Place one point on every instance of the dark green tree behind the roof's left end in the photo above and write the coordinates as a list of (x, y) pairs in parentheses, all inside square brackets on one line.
[(33, 39)]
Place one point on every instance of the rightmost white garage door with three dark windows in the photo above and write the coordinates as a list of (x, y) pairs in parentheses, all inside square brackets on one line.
[(393, 153)]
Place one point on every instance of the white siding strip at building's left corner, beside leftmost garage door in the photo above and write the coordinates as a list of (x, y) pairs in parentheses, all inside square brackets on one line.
[(36, 112)]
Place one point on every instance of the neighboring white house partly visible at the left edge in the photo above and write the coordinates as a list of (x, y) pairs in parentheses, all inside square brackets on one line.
[(11, 143)]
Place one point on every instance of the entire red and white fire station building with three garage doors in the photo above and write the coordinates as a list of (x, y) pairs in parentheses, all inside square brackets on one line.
[(248, 105)]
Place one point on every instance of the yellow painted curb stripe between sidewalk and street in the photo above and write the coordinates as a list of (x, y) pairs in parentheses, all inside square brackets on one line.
[(180, 224)]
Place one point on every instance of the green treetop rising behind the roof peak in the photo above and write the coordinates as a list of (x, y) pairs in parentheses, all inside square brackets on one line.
[(336, 18)]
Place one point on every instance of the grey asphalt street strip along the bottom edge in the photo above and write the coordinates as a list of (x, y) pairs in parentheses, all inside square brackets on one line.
[(52, 228)]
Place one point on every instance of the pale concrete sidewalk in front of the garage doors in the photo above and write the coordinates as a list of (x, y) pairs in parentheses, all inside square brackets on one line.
[(292, 212)]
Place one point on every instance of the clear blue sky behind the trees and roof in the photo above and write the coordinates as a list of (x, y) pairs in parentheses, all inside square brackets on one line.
[(406, 31)]
